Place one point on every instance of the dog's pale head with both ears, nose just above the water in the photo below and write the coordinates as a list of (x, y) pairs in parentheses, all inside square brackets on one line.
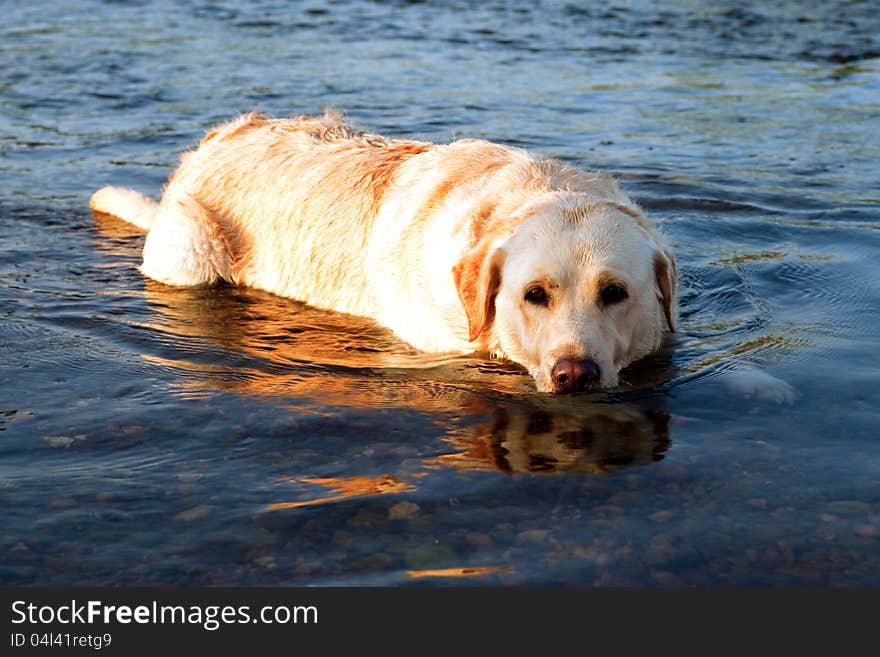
[(577, 291)]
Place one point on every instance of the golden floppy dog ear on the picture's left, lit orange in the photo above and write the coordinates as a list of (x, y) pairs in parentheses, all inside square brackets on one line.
[(477, 279)]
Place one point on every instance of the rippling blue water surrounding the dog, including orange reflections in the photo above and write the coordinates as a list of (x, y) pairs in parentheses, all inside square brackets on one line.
[(151, 435)]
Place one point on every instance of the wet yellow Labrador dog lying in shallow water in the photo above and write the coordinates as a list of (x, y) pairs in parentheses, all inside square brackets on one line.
[(464, 247)]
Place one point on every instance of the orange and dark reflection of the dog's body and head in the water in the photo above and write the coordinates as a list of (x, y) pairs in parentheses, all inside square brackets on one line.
[(255, 343)]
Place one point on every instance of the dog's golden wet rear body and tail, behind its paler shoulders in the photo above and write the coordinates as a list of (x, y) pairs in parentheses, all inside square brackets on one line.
[(256, 186)]
